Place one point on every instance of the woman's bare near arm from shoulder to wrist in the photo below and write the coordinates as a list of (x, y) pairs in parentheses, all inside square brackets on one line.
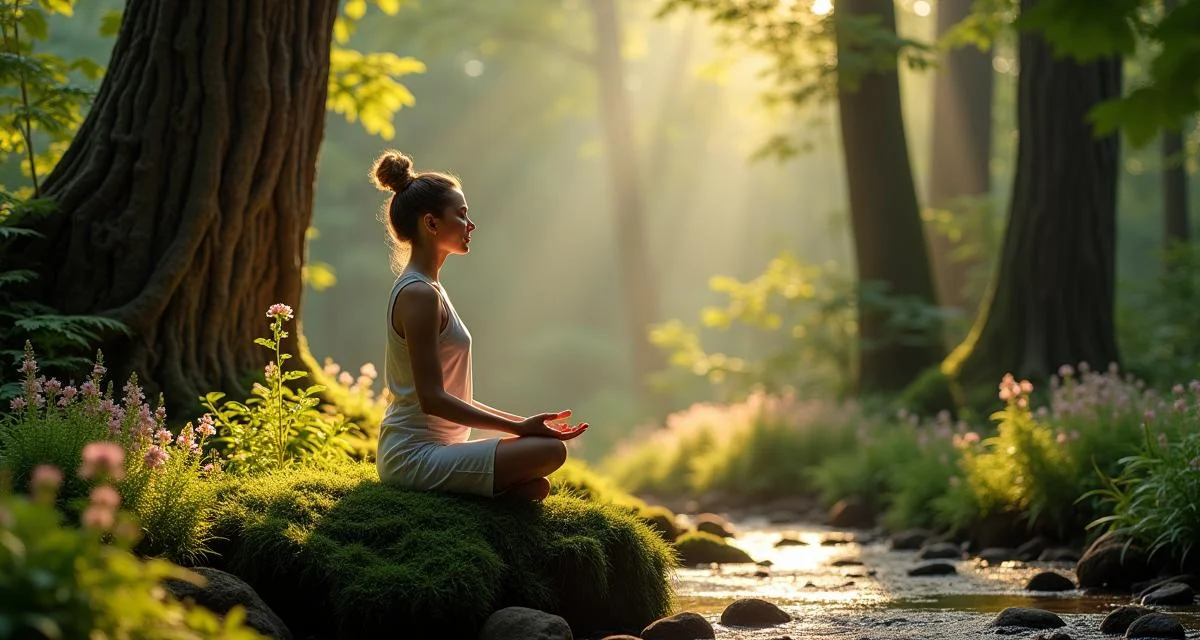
[(417, 315)]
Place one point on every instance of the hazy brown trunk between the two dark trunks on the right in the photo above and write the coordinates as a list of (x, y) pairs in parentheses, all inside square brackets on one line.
[(962, 149)]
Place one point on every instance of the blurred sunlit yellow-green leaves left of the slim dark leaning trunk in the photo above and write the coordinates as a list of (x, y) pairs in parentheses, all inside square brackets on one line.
[(809, 316)]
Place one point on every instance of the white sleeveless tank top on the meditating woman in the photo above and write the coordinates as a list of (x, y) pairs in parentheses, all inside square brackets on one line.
[(404, 422)]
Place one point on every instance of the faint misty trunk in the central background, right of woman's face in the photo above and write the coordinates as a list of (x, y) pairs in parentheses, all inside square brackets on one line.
[(634, 266)]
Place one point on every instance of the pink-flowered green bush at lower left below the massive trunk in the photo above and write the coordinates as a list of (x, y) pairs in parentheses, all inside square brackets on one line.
[(161, 480)]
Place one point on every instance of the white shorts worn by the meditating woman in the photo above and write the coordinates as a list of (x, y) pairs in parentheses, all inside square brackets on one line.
[(461, 468)]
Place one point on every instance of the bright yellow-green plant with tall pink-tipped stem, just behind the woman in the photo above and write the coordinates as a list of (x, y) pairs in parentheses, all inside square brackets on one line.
[(279, 426)]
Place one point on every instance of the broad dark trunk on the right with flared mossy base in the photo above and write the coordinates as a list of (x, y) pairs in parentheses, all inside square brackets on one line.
[(1053, 298)]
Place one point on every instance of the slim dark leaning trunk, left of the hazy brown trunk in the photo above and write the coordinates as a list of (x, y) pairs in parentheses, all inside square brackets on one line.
[(890, 242)]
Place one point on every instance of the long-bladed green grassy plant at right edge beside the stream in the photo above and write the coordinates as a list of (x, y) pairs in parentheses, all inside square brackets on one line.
[(1154, 499)]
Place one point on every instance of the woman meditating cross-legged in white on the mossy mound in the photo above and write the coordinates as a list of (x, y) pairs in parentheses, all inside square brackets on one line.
[(423, 439)]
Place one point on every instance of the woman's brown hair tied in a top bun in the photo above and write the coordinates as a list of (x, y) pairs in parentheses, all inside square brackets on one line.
[(413, 195)]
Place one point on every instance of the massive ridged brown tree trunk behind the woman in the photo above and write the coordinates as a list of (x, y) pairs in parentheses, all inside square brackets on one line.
[(184, 200)]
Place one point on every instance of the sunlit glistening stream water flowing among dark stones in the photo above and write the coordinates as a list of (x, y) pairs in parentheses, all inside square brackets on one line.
[(832, 597)]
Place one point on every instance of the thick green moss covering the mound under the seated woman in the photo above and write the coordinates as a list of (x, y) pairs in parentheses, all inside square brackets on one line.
[(339, 555)]
